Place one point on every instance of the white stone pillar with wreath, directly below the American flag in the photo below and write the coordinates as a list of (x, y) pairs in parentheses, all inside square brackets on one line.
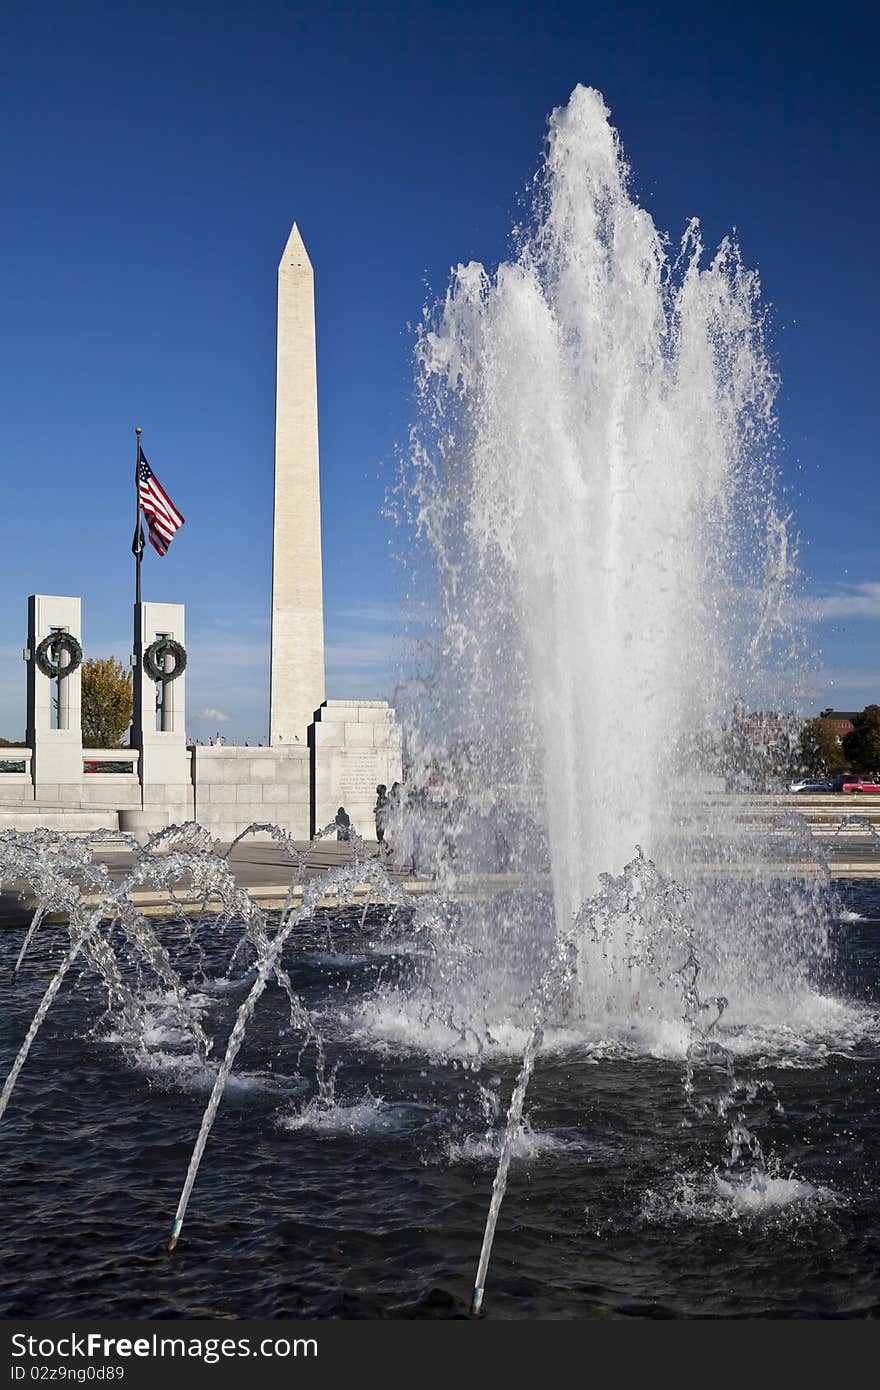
[(166, 783)]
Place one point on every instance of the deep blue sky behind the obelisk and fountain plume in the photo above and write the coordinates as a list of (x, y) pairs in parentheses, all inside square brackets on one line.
[(152, 163)]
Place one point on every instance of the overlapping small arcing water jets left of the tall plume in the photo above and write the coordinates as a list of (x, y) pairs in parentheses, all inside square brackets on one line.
[(181, 861)]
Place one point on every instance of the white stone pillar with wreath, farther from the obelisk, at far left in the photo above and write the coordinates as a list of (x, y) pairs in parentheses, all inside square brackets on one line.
[(58, 749)]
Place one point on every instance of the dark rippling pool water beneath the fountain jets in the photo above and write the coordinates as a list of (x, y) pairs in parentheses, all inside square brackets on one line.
[(614, 1210)]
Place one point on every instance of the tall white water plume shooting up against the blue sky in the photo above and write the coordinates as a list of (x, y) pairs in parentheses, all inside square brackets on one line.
[(593, 480)]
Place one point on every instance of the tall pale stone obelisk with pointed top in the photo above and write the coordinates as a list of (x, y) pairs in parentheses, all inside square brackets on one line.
[(298, 607)]
